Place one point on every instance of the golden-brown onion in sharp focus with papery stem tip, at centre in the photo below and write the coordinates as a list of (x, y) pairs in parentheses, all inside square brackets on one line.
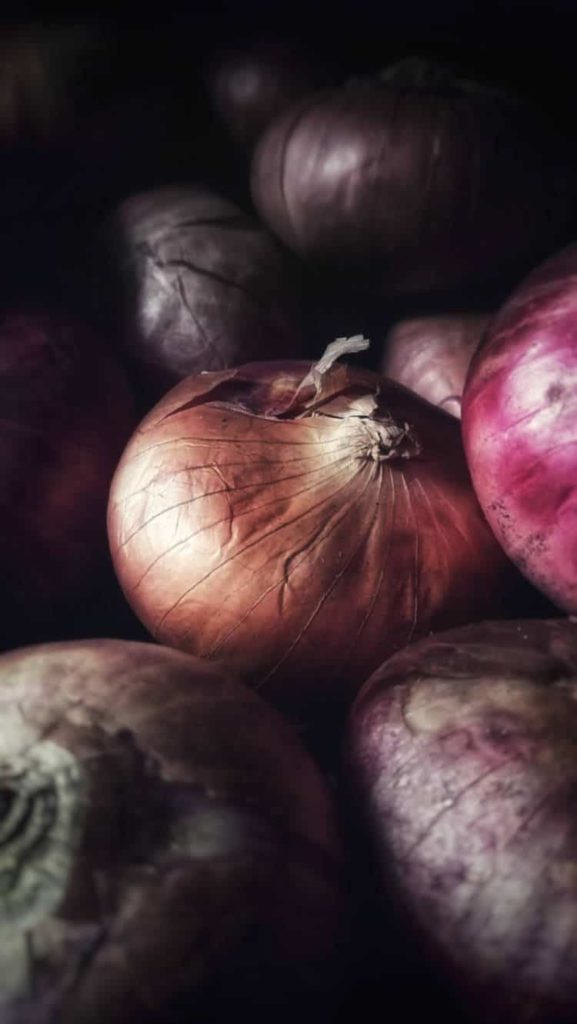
[(301, 525)]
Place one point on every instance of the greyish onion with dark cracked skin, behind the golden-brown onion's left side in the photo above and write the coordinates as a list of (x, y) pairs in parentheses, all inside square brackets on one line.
[(199, 286)]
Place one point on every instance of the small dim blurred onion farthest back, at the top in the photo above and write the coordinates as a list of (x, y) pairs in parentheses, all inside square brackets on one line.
[(252, 86)]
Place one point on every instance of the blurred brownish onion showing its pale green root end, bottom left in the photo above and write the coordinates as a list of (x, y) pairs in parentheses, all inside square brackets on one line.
[(167, 845)]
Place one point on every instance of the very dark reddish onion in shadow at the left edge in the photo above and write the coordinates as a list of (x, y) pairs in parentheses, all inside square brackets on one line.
[(66, 414)]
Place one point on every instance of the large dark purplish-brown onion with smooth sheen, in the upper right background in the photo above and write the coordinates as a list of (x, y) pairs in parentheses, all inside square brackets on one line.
[(410, 191)]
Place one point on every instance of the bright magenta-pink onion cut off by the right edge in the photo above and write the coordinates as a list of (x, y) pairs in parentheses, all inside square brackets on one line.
[(519, 419)]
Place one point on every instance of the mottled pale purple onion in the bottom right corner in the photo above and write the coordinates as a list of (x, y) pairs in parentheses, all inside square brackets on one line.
[(463, 752)]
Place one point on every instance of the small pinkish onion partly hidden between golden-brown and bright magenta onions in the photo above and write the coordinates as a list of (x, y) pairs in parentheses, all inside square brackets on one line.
[(432, 355)]
